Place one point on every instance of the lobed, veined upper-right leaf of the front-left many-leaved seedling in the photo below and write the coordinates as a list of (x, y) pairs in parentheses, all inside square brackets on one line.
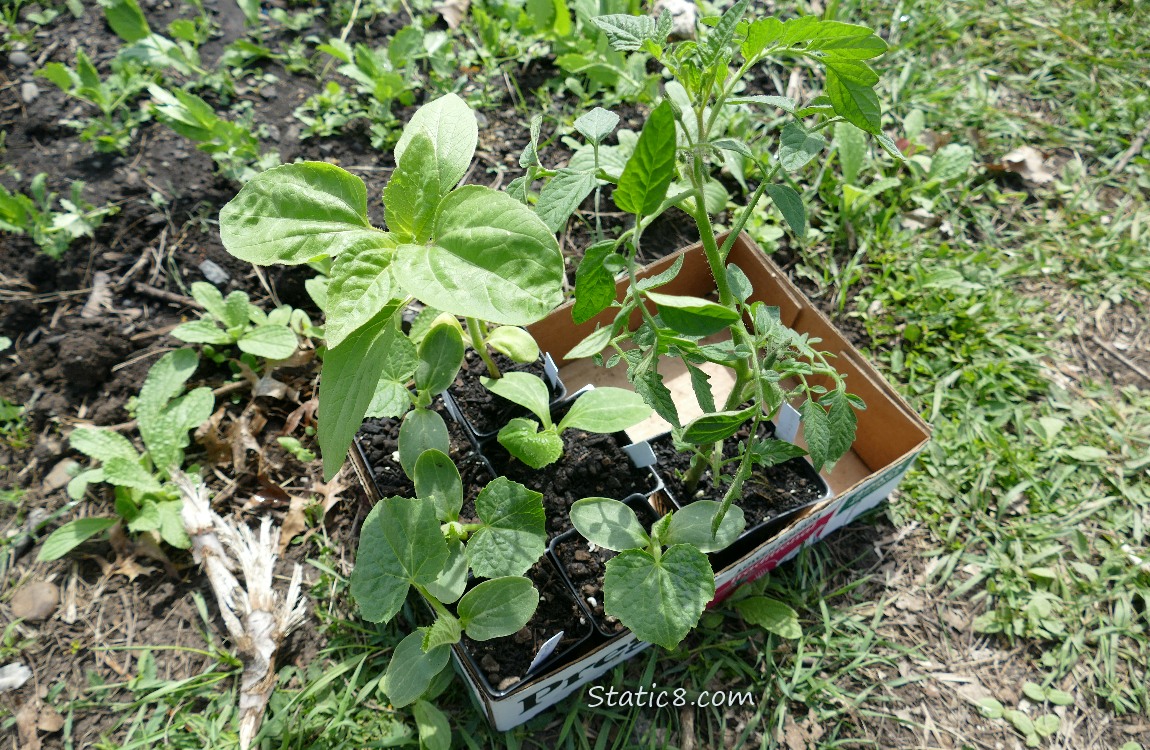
[(513, 537)]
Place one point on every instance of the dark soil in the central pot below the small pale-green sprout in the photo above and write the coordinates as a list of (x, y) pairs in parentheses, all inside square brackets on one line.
[(592, 466)]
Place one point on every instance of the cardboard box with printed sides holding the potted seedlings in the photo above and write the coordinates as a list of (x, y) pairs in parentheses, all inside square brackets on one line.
[(891, 434)]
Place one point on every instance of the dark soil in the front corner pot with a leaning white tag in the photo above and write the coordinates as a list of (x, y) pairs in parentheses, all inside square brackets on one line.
[(505, 662)]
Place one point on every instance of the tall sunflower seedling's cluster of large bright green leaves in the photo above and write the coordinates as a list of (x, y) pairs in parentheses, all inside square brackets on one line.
[(469, 251)]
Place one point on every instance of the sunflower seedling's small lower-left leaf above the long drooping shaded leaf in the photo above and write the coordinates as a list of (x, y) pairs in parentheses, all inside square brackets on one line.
[(359, 289)]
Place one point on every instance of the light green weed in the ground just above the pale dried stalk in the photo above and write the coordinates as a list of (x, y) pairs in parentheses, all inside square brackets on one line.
[(147, 500)]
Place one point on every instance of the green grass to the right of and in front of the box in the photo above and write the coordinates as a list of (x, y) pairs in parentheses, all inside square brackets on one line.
[(1025, 510)]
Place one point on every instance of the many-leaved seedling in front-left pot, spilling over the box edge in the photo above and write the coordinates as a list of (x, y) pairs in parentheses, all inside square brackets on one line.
[(421, 544)]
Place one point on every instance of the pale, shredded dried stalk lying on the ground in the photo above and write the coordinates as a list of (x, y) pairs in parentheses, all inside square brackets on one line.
[(258, 619)]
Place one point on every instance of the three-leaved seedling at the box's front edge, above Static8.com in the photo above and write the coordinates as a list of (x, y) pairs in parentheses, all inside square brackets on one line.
[(661, 583)]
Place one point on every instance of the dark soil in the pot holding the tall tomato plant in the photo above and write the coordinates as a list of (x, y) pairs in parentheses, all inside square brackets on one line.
[(769, 494)]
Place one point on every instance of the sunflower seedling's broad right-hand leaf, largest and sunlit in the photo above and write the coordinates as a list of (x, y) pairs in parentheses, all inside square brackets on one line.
[(494, 259)]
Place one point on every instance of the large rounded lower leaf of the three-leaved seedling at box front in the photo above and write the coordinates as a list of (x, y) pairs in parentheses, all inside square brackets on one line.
[(661, 601)]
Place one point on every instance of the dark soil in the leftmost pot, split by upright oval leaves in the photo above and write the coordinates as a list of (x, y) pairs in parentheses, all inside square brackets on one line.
[(379, 440)]
